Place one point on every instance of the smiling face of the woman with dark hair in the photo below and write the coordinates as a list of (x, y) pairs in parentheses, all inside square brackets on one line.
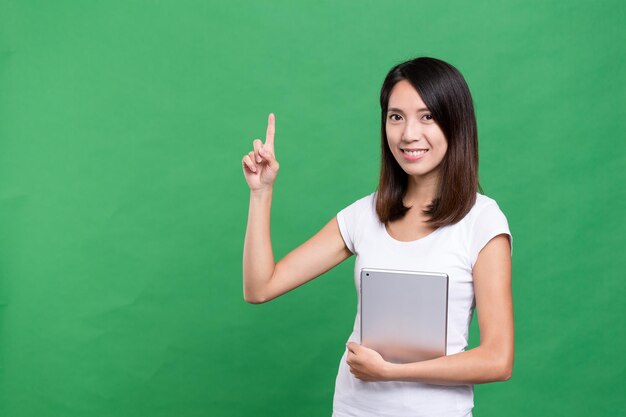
[(415, 140)]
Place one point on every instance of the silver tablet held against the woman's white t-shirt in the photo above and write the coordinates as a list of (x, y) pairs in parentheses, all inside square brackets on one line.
[(404, 314)]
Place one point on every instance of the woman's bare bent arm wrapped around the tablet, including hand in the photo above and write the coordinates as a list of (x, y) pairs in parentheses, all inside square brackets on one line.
[(491, 361)]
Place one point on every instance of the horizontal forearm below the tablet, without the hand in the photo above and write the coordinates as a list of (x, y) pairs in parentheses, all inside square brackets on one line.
[(475, 366)]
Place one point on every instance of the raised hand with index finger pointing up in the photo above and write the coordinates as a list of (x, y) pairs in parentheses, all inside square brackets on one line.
[(260, 166)]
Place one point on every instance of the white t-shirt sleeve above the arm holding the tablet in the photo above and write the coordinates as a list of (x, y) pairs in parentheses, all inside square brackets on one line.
[(489, 223)]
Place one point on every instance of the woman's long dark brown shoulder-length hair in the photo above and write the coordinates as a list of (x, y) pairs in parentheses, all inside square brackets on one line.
[(444, 91)]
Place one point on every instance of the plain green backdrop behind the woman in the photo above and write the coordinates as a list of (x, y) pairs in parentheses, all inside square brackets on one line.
[(123, 206)]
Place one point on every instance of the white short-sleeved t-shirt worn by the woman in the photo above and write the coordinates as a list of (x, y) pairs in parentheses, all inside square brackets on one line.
[(451, 249)]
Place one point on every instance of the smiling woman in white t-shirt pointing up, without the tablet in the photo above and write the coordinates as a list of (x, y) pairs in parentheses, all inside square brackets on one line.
[(426, 215)]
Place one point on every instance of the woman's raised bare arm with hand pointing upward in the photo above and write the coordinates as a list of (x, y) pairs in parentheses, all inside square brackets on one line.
[(263, 279)]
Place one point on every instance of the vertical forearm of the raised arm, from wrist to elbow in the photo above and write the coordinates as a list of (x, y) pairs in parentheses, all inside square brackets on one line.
[(258, 257)]
